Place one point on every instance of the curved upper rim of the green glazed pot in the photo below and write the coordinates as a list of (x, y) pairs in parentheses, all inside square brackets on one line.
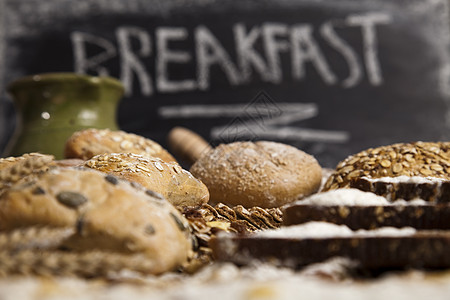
[(56, 77)]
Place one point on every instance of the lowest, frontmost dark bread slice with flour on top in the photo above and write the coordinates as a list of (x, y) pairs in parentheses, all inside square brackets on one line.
[(383, 249)]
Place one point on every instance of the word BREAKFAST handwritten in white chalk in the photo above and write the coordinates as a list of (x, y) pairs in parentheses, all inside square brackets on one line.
[(298, 41)]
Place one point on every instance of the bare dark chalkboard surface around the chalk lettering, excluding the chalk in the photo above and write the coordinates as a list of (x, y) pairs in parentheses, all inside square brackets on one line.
[(411, 103)]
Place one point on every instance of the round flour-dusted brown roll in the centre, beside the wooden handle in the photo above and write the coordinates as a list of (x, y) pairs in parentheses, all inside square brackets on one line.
[(264, 174)]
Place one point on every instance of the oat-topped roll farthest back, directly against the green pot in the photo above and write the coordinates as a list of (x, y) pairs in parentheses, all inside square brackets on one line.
[(90, 142)]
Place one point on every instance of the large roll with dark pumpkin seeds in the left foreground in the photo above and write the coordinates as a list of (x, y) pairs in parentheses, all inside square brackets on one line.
[(108, 214)]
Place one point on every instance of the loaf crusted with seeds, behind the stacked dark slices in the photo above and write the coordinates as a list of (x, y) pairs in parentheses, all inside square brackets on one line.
[(427, 159)]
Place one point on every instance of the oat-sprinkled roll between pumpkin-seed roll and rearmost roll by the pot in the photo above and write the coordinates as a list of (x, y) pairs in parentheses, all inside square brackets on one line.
[(177, 185)]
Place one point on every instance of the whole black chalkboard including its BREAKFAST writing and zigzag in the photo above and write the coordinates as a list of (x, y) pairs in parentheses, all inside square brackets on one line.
[(331, 77)]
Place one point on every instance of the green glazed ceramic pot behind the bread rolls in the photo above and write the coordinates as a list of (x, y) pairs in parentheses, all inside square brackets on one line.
[(52, 106)]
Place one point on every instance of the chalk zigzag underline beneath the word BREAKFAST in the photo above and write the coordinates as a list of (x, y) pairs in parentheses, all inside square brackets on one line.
[(257, 120)]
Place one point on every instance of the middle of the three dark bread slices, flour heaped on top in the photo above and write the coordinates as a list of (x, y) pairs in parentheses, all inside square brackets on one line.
[(365, 210)]
